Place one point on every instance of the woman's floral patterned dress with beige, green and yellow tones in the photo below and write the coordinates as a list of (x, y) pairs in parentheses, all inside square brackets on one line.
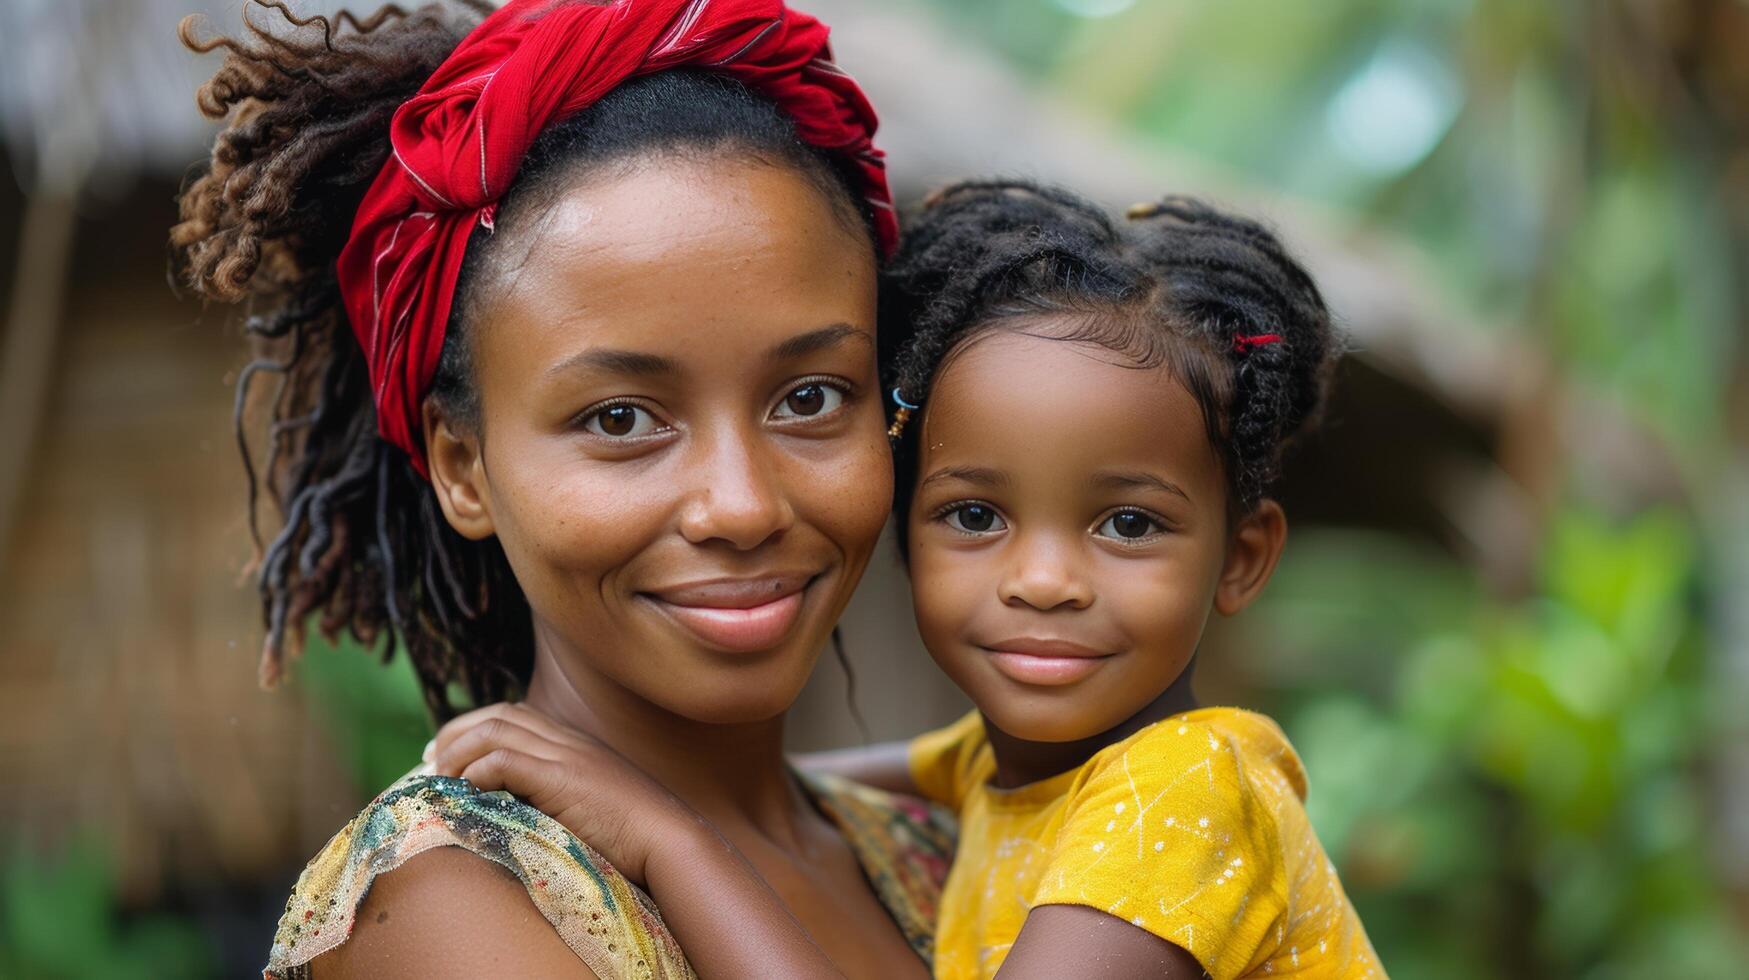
[(903, 844)]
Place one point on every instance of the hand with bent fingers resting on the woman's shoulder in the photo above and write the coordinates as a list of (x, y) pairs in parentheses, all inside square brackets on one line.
[(573, 778)]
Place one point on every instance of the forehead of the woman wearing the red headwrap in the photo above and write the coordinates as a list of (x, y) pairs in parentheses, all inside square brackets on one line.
[(679, 255)]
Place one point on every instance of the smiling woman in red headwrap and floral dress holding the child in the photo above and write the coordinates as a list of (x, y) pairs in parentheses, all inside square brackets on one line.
[(576, 316)]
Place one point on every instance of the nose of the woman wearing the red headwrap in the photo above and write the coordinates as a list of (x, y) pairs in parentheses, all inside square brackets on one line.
[(739, 496)]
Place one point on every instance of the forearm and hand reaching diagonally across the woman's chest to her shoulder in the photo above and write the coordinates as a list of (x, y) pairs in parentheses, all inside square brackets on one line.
[(646, 832)]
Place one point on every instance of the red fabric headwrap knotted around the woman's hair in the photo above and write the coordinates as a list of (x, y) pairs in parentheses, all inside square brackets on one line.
[(459, 143)]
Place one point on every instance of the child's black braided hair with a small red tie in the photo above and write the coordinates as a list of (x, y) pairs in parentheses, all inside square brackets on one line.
[(1180, 283)]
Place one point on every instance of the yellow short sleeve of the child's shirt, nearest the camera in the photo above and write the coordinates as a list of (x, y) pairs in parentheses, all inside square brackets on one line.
[(1171, 837)]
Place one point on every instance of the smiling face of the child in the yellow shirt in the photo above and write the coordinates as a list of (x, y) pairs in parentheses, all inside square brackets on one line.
[(1068, 533)]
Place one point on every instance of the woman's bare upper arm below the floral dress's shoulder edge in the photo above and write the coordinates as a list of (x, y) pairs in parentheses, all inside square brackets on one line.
[(450, 913)]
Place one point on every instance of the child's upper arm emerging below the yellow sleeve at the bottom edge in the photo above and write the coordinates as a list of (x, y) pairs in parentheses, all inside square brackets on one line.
[(1075, 941)]
